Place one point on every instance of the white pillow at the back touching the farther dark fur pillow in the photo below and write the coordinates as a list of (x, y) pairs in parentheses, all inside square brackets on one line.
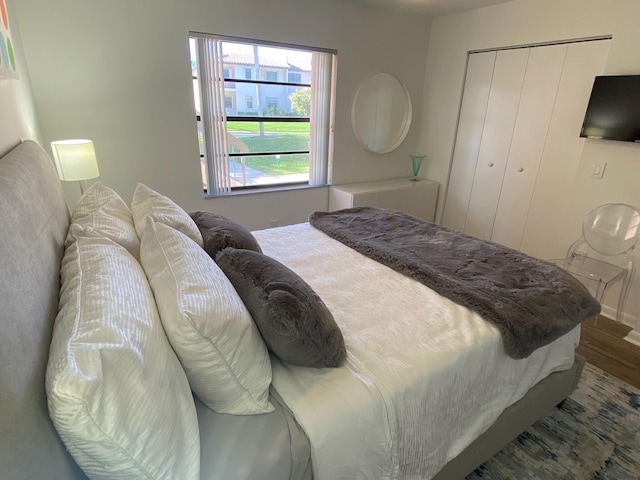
[(149, 203)]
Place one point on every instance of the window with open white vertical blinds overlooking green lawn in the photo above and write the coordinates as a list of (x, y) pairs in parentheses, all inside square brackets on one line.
[(285, 135)]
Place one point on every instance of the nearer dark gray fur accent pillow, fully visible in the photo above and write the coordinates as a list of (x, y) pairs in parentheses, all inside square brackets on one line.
[(294, 322)]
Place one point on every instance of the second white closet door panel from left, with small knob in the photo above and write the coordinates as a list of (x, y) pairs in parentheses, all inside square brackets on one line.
[(500, 120)]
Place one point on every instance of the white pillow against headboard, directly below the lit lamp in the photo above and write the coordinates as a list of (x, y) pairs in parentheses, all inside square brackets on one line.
[(101, 212)]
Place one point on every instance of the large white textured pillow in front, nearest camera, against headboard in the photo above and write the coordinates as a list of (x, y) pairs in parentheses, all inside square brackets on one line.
[(117, 394)]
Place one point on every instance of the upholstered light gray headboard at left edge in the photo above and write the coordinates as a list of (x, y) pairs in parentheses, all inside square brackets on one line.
[(34, 220)]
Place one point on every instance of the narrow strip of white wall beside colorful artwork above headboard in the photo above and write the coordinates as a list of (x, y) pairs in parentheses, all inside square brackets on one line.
[(17, 115)]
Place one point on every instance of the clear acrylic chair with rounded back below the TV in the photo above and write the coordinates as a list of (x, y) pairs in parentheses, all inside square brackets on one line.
[(603, 255)]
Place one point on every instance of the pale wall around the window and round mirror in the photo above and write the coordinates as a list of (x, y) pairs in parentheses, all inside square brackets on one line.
[(119, 74)]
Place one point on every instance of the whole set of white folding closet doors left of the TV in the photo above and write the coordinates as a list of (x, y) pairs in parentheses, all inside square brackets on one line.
[(518, 137)]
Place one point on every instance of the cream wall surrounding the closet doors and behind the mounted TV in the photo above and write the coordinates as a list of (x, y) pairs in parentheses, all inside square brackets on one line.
[(552, 225)]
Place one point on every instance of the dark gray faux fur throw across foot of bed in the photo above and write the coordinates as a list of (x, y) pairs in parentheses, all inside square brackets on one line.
[(532, 302)]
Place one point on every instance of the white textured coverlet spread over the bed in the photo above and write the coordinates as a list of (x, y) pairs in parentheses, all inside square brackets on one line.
[(424, 377)]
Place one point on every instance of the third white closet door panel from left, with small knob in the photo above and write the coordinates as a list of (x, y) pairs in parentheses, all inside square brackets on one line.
[(541, 81)]
